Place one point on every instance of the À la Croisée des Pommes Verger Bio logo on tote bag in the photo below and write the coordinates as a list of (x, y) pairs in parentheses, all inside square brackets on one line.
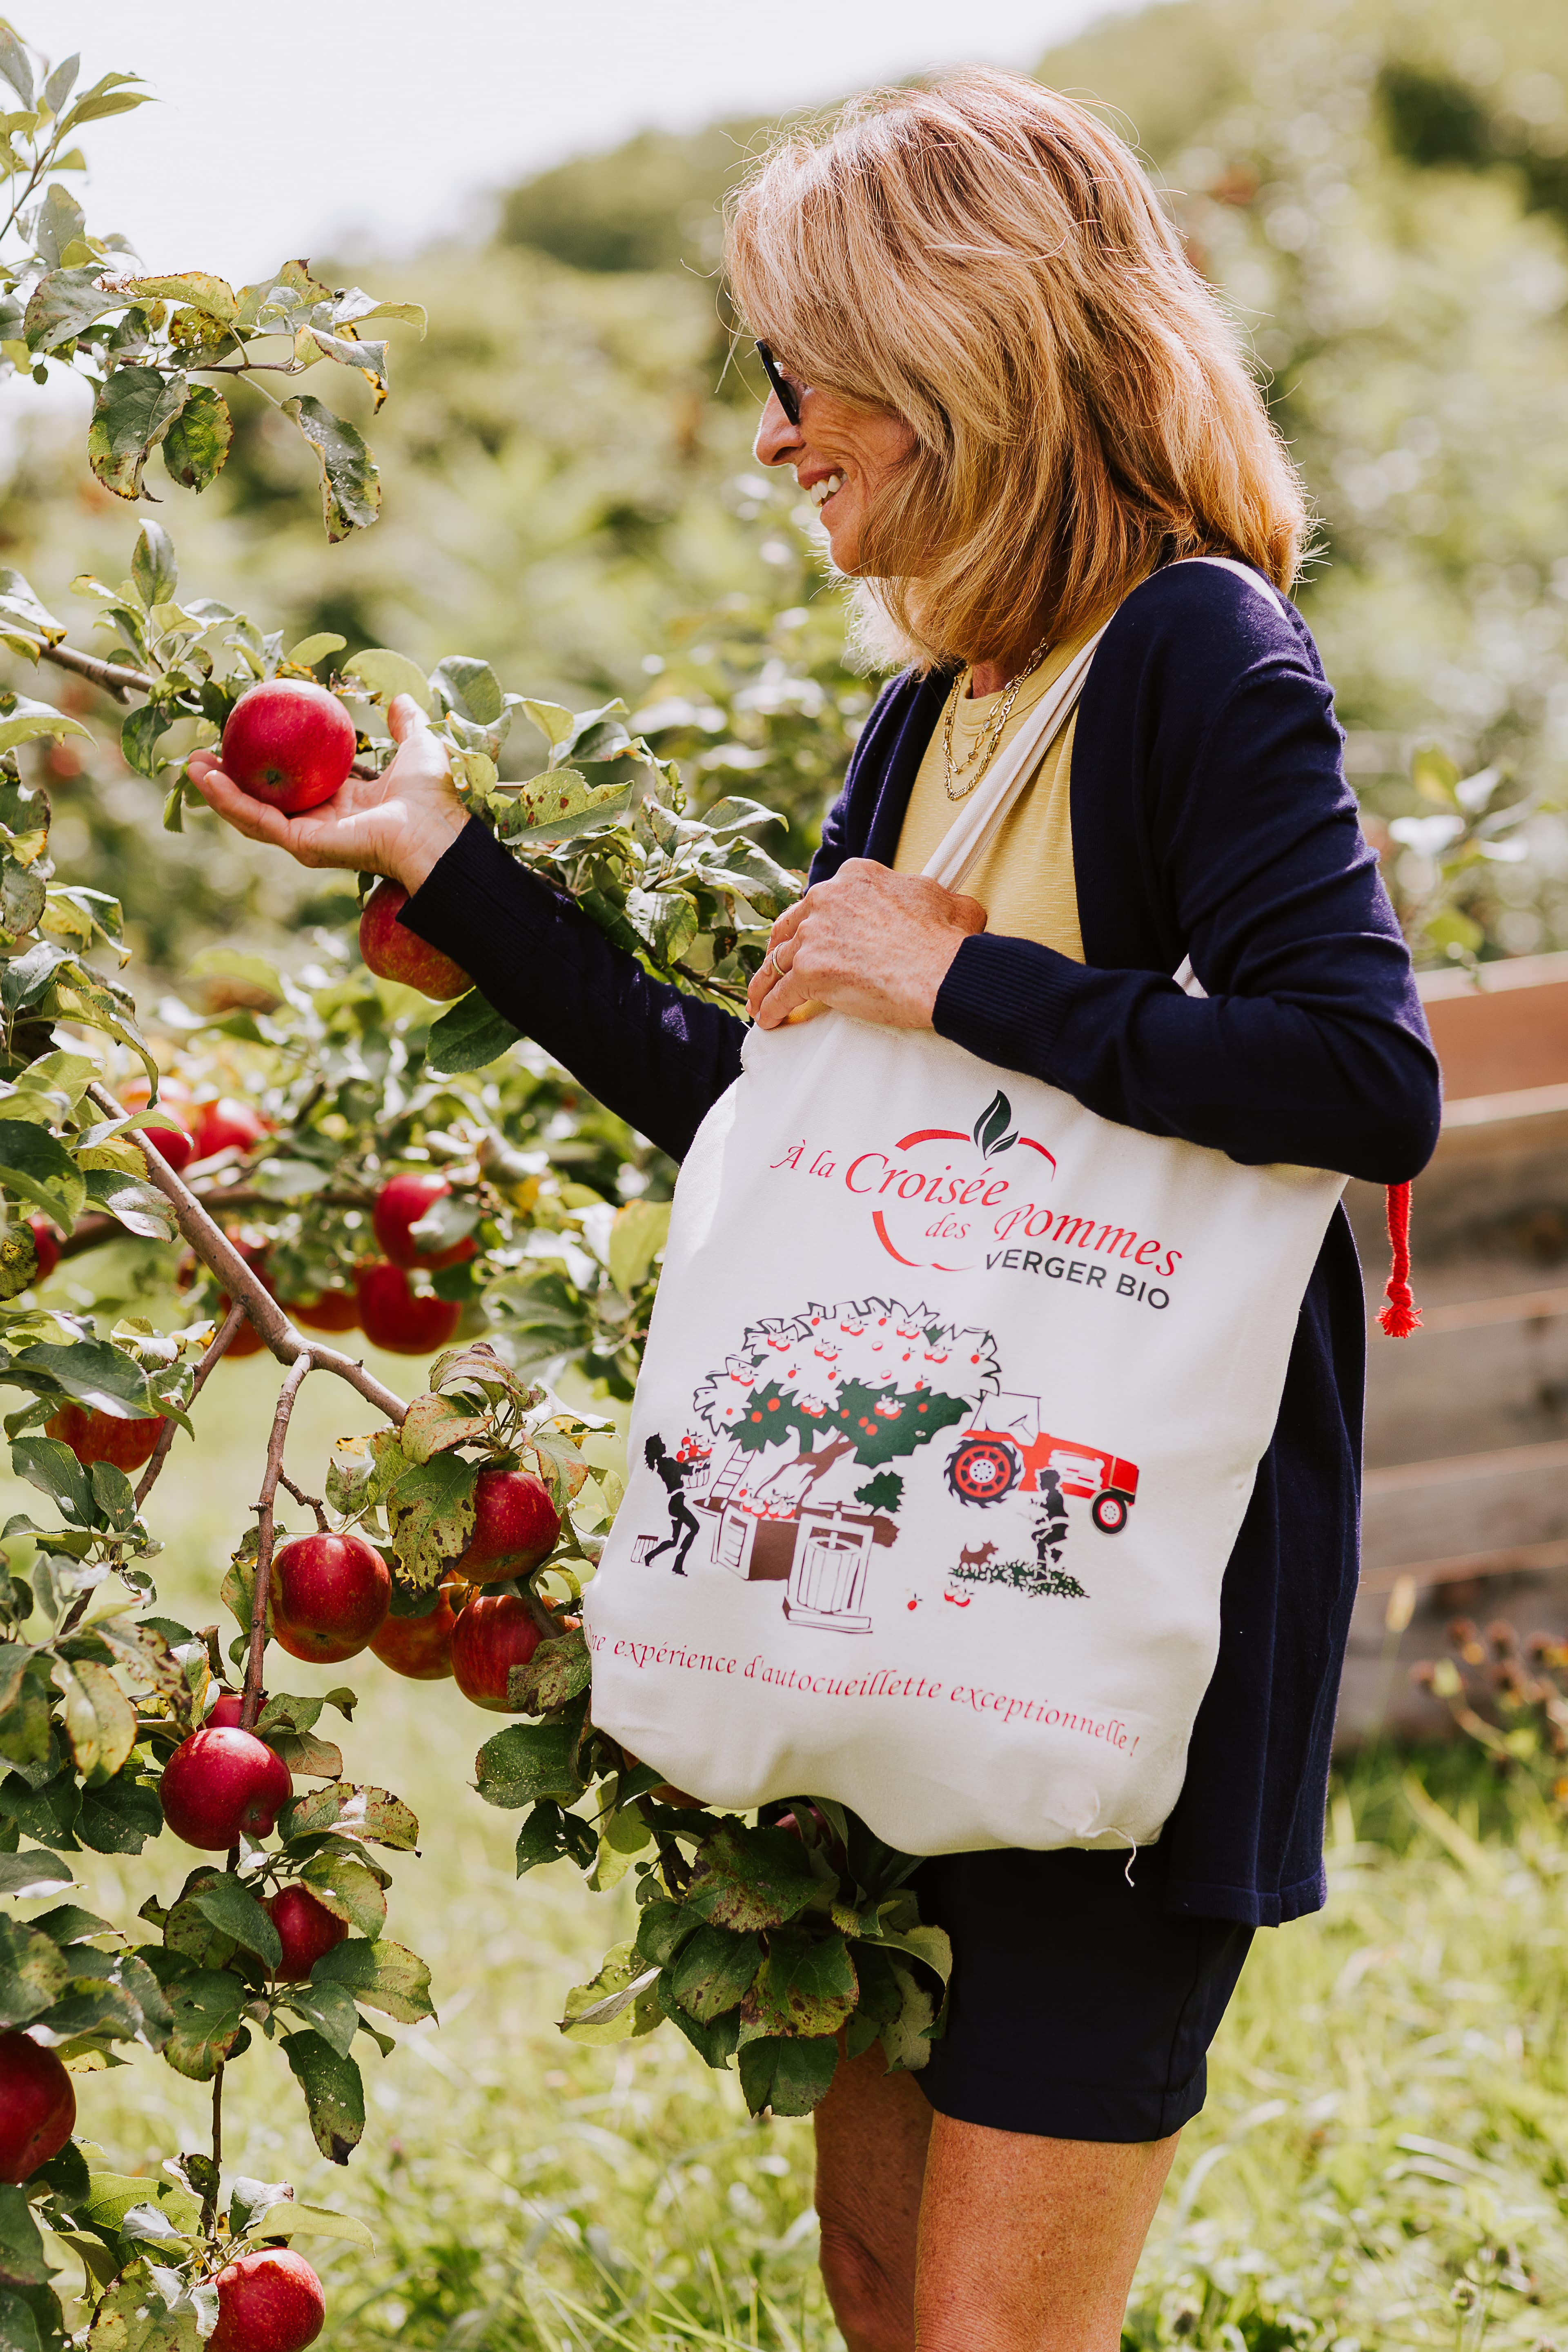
[(942, 1203)]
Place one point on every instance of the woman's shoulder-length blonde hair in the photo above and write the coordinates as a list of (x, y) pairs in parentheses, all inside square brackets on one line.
[(989, 262)]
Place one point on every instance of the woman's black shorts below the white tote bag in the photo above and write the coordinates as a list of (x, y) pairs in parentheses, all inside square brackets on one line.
[(1083, 2010)]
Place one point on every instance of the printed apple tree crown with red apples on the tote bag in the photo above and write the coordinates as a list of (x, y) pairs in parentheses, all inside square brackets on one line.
[(869, 1379)]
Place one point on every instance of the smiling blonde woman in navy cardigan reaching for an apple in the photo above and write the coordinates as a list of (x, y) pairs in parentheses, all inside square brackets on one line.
[(1021, 415)]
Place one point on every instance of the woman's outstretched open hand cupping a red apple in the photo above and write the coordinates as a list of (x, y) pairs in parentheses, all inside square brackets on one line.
[(396, 824)]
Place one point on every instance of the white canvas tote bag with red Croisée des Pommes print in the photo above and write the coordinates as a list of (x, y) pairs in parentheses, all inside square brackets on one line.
[(949, 1419)]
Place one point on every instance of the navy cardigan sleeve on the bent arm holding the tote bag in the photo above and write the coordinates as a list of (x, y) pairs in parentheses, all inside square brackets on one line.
[(1242, 834)]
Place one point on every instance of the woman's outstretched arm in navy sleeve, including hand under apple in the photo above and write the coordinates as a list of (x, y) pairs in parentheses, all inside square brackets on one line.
[(652, 1055)]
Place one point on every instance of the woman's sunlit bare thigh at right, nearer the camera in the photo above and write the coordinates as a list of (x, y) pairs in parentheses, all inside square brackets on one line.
[(1028, 2245)]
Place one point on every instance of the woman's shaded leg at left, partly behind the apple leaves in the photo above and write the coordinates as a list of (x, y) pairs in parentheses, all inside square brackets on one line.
[(871, 2165)]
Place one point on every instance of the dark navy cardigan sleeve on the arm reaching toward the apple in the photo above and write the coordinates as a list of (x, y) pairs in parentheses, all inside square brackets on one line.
[(652, 1055)]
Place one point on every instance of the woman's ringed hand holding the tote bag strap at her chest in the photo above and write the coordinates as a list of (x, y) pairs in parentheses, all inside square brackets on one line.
[(871, 944)]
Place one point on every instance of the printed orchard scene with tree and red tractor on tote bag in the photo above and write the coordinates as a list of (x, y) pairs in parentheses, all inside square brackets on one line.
[(789, 1476)]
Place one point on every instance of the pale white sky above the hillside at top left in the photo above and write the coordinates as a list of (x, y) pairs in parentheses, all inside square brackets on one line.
[(380, 126)]
